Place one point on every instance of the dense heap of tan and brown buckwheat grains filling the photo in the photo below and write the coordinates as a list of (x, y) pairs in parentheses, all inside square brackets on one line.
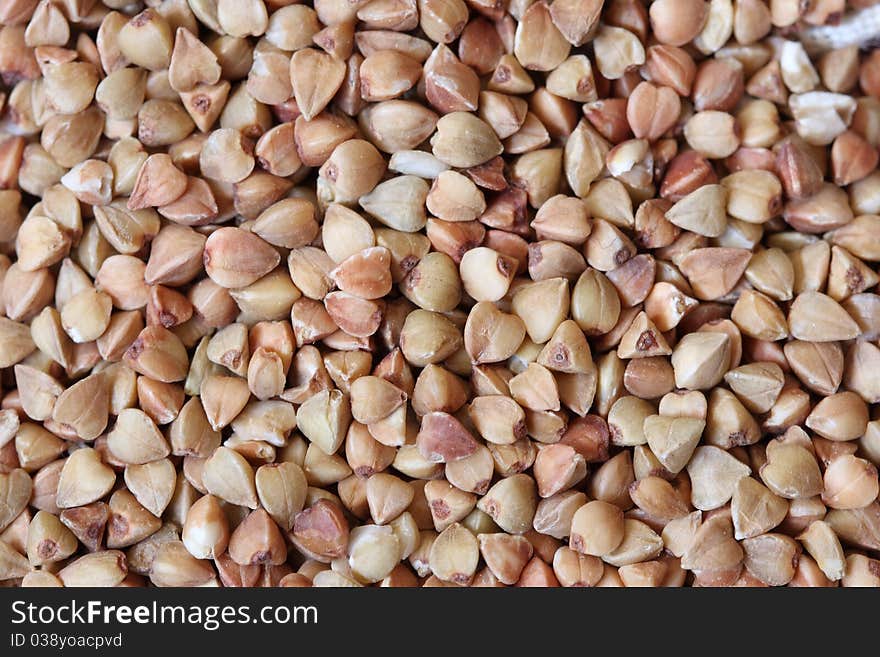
[(437, 293)]
